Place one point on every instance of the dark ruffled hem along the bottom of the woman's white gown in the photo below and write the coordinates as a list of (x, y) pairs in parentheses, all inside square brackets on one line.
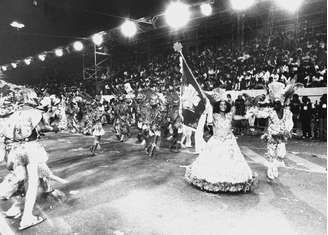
[(204, 185)]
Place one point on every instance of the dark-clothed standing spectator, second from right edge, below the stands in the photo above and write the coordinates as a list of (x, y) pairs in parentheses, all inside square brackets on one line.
[(306, 116)]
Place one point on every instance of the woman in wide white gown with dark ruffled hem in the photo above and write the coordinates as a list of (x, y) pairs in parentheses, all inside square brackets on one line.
[(221, 167)]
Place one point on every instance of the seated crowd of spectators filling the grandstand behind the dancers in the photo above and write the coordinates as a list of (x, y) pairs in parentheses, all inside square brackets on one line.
[(234, 68)]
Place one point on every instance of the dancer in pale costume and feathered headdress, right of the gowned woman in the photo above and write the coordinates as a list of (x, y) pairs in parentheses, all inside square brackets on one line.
[(280, 124)]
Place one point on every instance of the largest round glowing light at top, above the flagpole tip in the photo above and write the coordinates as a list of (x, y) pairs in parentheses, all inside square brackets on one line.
[(177, 15)]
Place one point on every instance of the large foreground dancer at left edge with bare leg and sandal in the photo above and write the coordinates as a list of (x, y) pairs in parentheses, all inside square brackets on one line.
[(26, 158)]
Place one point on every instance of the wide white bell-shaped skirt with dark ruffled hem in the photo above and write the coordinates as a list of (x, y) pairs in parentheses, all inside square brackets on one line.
[(221, 167)]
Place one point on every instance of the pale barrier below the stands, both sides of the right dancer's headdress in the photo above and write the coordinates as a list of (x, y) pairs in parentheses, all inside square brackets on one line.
[(313, 93)]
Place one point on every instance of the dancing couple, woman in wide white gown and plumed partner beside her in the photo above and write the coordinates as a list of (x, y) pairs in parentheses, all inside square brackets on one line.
[(220, 166)]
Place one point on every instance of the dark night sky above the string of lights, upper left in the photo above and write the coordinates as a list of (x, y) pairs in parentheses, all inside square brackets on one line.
[(71, 18)]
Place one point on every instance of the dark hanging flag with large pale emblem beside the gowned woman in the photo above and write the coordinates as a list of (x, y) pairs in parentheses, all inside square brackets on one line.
[(192, 100)]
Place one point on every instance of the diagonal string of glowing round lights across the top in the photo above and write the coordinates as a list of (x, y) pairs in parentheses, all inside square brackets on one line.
[(177, 15)]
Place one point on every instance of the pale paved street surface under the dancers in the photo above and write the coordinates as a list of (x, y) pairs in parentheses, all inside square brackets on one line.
[(121, 191)]
